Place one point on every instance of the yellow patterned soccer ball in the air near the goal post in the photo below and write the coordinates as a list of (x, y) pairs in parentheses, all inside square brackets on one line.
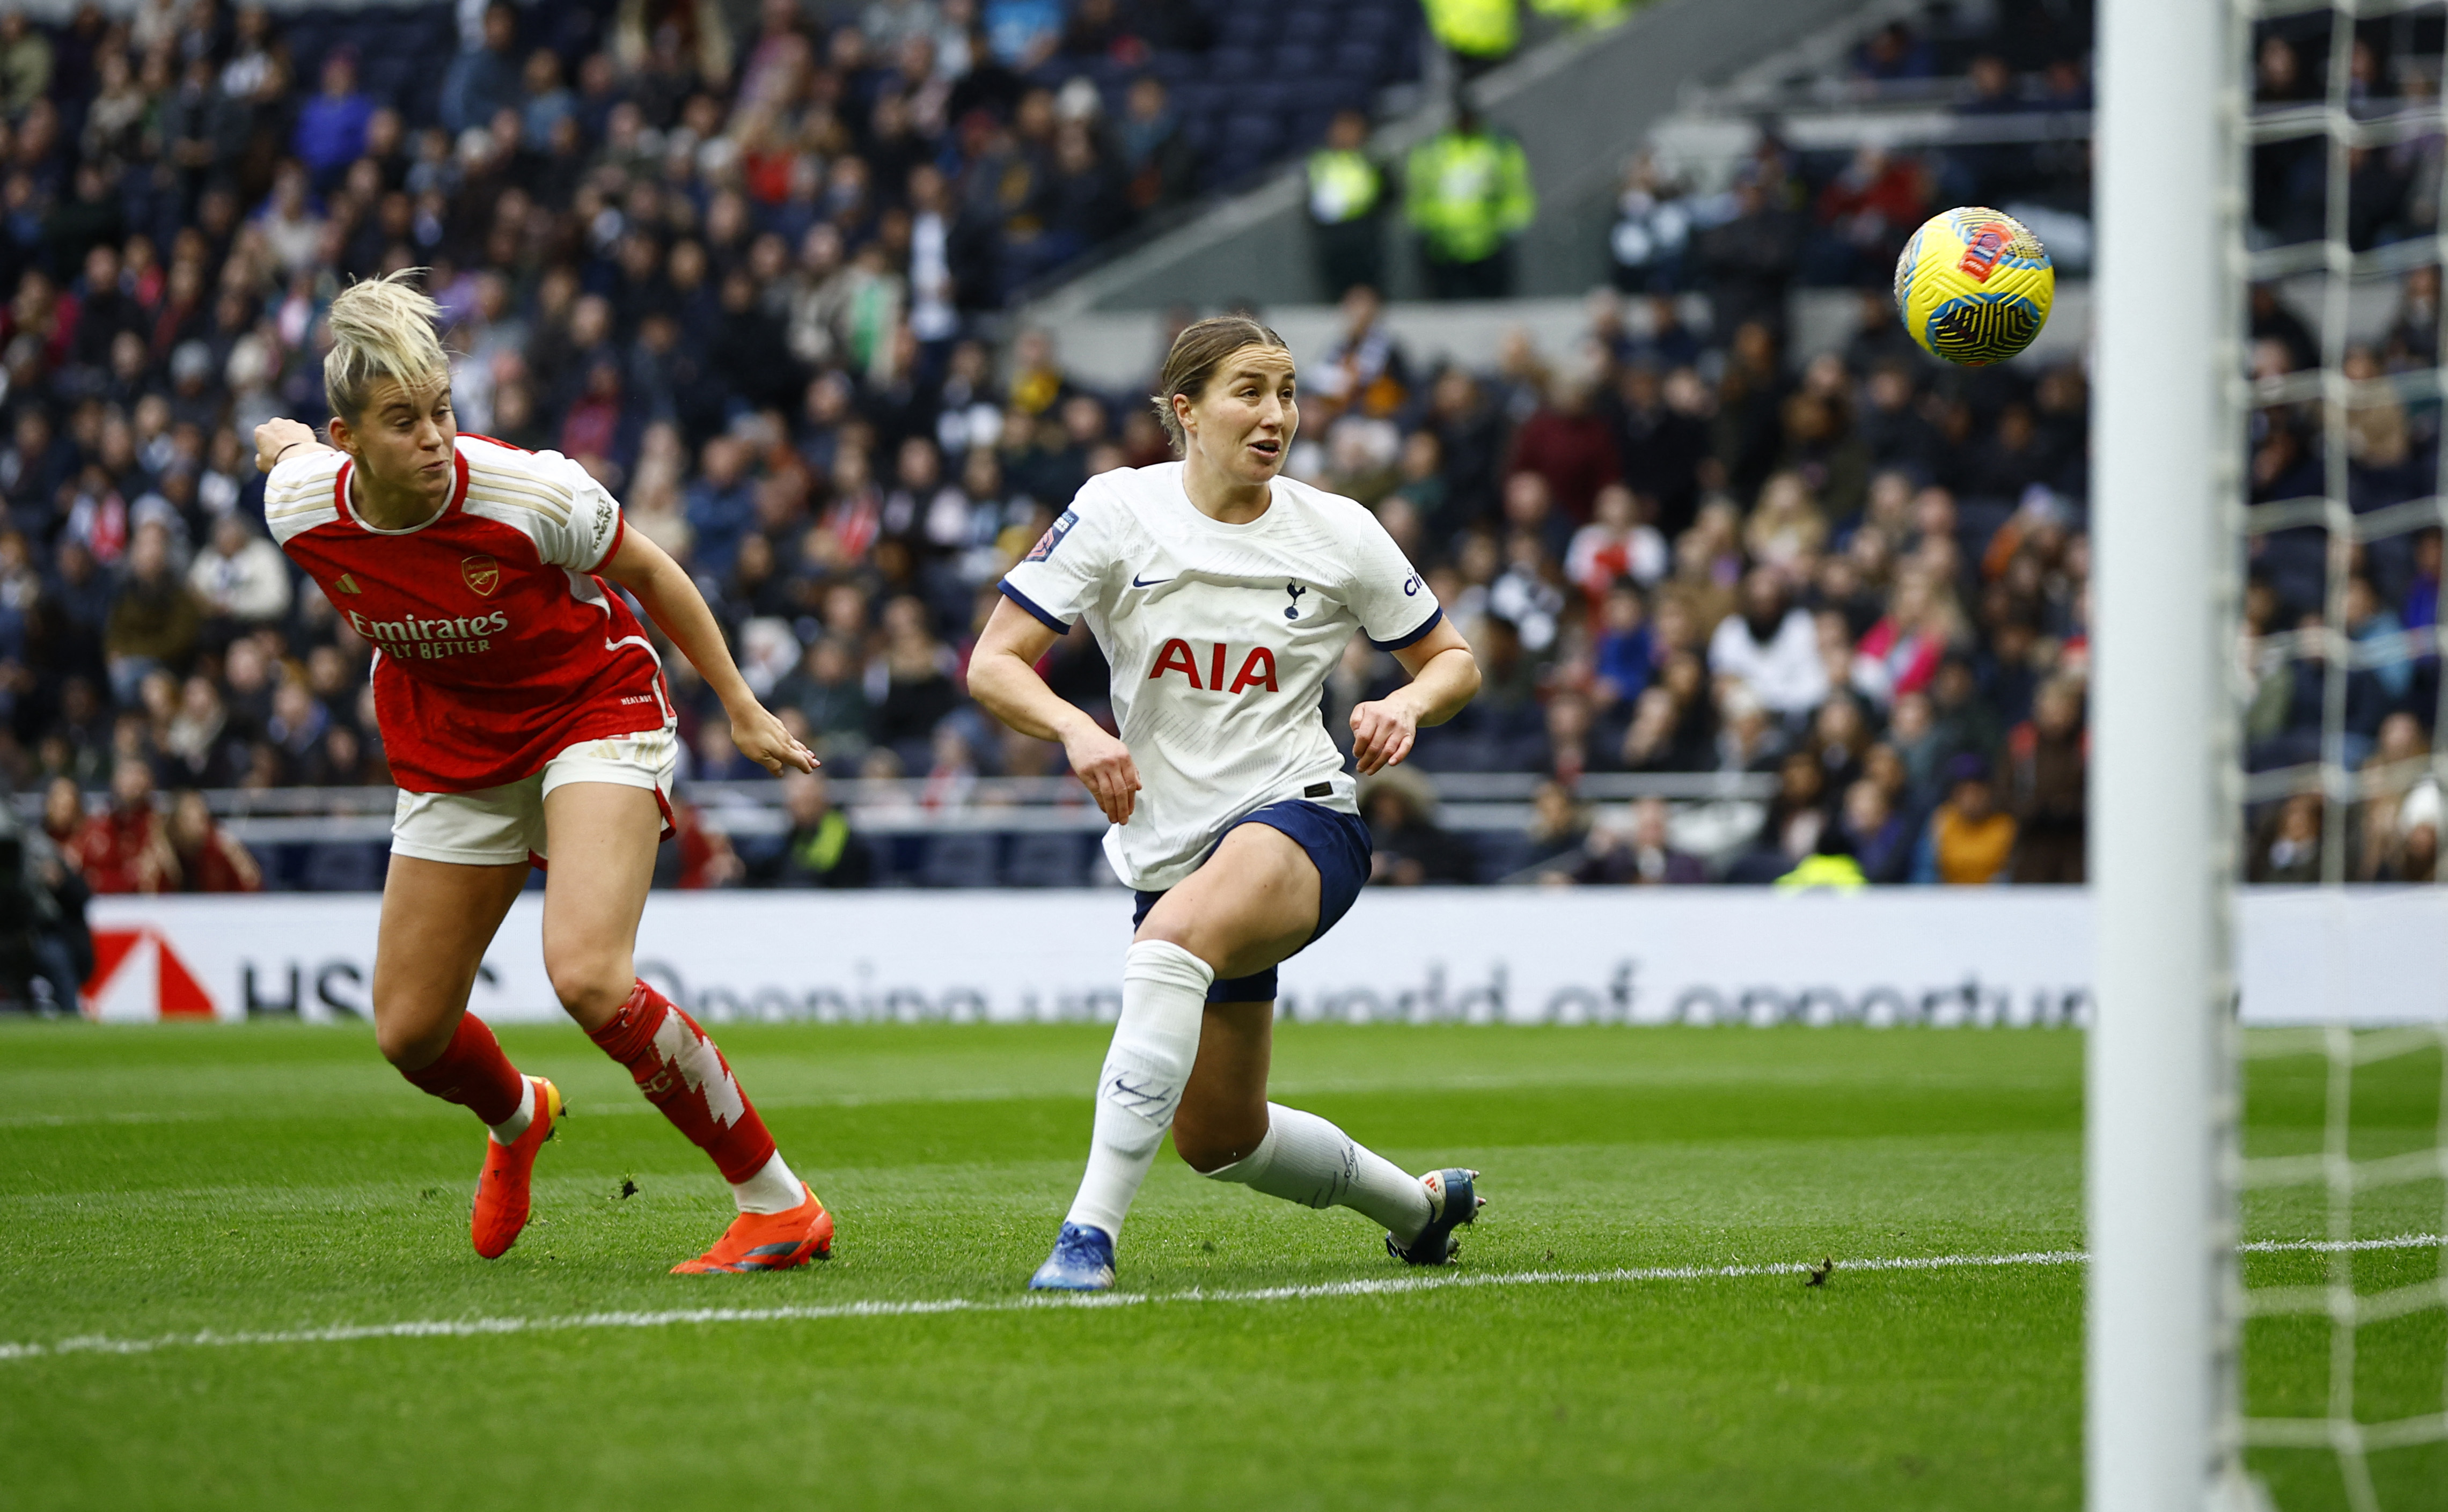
[(1974, 287)]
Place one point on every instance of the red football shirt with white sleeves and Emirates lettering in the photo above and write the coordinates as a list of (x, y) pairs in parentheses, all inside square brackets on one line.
[(496, 645)]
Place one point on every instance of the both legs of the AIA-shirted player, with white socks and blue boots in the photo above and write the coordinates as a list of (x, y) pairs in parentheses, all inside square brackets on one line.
[(1176, 1058)]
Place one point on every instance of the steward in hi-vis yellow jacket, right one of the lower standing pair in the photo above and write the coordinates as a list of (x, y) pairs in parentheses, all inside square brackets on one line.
[(1468, 195)]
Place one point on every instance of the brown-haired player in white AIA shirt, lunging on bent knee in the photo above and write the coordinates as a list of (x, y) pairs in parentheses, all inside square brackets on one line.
[(1223, 596)]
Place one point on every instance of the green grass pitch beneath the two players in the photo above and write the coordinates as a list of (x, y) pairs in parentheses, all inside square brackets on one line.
[(165, 1185)]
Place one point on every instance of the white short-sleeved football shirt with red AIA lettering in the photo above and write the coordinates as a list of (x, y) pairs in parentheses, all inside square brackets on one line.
[(1220, 640)]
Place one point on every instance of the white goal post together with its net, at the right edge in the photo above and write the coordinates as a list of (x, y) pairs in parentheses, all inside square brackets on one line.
[(2268, 1207)]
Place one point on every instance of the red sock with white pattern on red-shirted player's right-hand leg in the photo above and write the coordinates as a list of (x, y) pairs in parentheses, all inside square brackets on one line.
[(687, 1078)]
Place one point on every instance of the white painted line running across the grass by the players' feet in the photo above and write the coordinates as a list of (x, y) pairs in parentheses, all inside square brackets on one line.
[(94, 1344)]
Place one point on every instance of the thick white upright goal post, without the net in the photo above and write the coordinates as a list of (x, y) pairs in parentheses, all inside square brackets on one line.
[(2168, 312)]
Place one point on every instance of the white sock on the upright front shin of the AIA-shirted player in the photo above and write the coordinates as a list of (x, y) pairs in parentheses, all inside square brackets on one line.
[(1164, 1002)]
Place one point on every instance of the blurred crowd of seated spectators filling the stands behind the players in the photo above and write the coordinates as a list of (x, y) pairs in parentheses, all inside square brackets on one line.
[(753, 290)]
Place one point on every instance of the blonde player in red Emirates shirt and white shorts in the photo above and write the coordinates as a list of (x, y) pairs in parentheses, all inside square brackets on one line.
[(525, 718)]
